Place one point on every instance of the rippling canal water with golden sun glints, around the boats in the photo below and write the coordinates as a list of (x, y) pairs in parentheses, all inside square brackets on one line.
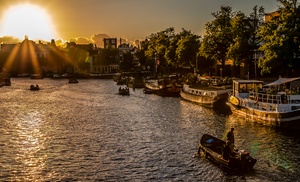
[(87, 132)]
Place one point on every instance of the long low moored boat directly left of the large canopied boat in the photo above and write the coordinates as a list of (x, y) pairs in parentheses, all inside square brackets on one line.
[(205, 95)]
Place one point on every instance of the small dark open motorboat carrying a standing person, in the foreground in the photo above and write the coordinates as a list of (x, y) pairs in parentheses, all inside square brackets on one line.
[(212, 148)]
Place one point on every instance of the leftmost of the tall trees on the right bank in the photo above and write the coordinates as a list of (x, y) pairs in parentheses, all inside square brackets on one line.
[(218, 37)]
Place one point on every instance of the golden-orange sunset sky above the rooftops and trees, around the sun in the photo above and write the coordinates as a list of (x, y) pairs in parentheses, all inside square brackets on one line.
[(129, 19)]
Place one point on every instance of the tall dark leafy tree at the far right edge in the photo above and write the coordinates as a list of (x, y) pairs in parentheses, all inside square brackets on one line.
[(280, 37)]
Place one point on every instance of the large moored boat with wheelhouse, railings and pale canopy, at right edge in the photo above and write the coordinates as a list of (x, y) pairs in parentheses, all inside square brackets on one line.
[(275, 104)]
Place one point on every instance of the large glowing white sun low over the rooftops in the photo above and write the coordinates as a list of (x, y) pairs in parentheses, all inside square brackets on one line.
[(27, 20)]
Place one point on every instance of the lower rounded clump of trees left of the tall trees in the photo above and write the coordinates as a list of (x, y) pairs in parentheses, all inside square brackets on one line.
[(170, 48)]
